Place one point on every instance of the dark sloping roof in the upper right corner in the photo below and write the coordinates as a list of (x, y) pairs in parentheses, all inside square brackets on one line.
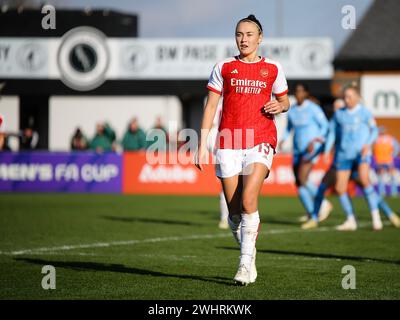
[(375, 43)]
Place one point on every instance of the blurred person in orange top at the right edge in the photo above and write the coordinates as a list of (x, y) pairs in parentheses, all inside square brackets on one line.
[(385, 149)]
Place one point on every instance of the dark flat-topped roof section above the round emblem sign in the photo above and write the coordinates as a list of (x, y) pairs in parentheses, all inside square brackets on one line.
[(28, 23)]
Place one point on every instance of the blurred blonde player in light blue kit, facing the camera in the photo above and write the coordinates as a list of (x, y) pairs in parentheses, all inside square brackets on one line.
[(355, 131)]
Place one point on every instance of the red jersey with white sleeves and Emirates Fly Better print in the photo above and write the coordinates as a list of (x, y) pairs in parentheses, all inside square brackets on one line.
[(246, 87)]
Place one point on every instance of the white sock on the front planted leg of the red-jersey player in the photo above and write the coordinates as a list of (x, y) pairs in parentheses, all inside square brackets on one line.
[(249, 232)]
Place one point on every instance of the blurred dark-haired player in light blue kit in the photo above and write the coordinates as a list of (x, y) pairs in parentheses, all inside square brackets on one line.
[(310, 127)]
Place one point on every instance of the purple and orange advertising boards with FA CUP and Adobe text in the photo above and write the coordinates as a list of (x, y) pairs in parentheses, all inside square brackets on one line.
[(130, 173)]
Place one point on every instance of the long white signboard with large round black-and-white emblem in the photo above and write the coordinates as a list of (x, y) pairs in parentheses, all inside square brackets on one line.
[(84, 58)]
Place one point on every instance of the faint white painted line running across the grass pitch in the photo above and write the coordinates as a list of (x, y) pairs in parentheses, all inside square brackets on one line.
[(151, 240)]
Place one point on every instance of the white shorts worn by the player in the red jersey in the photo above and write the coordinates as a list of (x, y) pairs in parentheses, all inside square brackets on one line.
[(231, 162)]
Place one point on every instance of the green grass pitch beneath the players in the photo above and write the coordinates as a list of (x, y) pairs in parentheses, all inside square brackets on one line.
[(169, 247)]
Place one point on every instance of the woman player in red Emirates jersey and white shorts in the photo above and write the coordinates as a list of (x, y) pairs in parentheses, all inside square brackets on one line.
[(247, 136)]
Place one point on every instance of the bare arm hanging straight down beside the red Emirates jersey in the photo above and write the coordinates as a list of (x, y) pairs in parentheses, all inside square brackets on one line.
[(206, 125)]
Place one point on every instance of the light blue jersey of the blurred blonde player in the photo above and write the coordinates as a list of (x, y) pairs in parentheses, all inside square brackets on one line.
[(351, 129)]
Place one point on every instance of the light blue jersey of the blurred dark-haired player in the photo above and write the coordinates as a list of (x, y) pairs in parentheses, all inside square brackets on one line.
[(308, 122)]
